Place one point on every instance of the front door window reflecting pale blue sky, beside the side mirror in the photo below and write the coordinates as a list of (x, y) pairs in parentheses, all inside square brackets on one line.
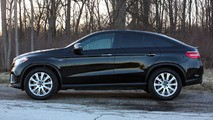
[(103, 41)]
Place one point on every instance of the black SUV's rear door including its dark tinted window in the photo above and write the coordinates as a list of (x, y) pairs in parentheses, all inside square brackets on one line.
[(134, 54)]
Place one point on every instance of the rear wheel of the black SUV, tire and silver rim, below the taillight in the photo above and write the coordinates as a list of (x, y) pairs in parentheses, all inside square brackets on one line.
[(165, 84)]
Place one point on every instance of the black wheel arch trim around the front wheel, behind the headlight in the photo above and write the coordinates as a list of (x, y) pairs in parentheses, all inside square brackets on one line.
[(53, 68)]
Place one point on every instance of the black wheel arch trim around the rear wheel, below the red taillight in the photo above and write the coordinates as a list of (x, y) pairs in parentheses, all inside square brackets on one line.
[(177, 68)]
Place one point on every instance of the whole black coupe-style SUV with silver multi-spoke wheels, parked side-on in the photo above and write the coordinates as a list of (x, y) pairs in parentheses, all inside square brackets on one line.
[(150, 61)]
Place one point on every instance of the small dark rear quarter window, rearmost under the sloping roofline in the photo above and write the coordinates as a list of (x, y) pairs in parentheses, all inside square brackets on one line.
[(162, 41)]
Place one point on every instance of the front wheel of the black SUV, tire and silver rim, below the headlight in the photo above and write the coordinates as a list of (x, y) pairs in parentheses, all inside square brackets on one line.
[(40, 83)]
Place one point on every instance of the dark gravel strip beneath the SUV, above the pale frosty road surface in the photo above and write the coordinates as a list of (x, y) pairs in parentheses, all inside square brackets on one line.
[(194, 101)]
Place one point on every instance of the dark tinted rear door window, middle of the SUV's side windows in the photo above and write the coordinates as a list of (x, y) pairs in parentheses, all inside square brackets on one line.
[(133, 40)]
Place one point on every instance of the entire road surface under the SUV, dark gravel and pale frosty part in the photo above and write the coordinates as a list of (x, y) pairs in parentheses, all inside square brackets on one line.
[(190, 104)]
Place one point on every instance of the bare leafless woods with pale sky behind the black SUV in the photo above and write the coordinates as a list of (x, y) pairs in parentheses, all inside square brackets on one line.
[(29, 25)]
